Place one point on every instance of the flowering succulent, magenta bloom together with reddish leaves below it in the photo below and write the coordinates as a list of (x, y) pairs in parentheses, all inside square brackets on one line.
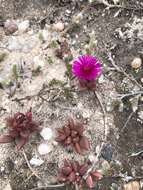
[(86, 68)]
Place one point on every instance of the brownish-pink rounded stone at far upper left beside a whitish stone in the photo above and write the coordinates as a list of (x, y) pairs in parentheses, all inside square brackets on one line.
[(10, 27)]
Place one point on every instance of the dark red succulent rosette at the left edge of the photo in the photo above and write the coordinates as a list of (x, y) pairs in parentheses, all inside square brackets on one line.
[(20, 128)]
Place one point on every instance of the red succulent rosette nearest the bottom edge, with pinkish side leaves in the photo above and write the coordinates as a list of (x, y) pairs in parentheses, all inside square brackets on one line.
[(73, 172)]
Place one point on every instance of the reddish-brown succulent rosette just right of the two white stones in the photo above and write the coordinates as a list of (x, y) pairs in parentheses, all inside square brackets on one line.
[(72, 134)]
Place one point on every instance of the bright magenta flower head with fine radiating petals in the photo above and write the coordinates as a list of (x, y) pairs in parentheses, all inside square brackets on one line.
[(86, 67)]
